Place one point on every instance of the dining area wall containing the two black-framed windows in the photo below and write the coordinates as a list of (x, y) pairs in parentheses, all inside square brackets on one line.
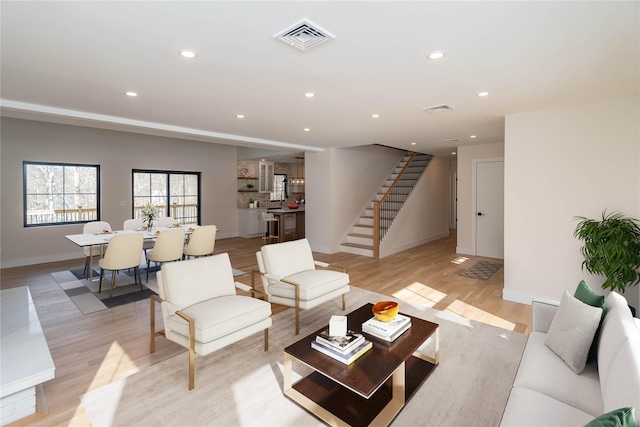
[(117, 153)]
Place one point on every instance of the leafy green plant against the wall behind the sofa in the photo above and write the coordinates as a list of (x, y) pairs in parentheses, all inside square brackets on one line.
[(611, 248)]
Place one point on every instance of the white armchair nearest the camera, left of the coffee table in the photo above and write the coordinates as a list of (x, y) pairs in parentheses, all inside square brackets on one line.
[(201, 310)]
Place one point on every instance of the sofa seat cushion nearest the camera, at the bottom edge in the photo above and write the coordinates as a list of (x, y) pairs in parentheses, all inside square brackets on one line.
[(530, 408)]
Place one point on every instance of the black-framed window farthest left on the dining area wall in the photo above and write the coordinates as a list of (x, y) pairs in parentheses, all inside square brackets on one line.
[(60, 193)]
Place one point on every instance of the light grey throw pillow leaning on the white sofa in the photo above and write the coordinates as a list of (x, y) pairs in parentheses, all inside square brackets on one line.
[(572, 331)]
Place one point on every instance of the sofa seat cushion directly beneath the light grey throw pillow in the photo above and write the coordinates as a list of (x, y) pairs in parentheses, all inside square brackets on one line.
[(543, 371)]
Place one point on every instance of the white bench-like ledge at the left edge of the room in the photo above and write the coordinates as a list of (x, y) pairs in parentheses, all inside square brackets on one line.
[(25, 356)]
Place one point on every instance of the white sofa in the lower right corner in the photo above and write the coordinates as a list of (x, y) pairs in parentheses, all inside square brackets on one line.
[(546, 392)]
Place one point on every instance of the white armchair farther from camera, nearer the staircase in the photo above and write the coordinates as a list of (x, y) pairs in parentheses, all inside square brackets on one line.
[(290, 277)]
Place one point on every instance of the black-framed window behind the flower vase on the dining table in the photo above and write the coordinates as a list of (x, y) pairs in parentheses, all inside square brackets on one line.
[(176, 194)]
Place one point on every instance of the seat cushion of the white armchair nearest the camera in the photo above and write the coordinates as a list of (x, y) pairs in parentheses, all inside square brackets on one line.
[(222, 316)]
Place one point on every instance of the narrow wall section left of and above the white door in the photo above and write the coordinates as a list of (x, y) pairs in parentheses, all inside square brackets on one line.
[(466, 212)]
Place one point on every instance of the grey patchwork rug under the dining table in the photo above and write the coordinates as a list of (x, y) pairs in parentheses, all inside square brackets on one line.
[(87, 299)]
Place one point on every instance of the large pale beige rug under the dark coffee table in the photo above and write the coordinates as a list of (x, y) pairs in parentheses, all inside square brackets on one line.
[(241, 385)]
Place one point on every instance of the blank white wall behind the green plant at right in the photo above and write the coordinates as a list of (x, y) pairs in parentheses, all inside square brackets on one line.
[(562, 163)]
